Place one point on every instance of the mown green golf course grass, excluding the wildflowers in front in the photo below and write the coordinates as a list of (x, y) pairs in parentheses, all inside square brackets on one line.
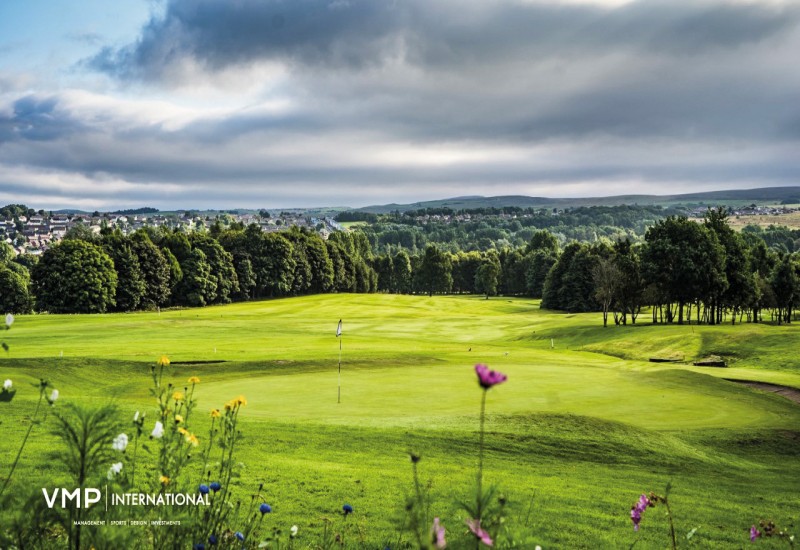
[(582, 427)]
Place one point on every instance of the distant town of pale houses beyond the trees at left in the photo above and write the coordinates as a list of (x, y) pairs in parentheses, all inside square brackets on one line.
[(36, 231)]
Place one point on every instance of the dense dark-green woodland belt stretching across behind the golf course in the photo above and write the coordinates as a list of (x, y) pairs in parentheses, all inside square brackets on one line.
[(681, 271)]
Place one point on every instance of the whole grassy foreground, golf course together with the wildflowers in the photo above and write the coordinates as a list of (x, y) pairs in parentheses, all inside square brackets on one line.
[(454, 422)]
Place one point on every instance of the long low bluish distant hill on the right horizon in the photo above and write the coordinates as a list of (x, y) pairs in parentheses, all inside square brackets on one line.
[(733, 197)]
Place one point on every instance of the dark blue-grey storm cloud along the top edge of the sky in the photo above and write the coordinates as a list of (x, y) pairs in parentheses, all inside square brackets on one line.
[(362, 33)]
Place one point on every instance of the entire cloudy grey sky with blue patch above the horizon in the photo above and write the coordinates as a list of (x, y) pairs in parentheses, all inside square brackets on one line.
[(270, 103)]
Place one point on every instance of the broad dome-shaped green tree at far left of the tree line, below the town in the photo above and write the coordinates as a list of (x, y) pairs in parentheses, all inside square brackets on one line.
[(74, 277)]
